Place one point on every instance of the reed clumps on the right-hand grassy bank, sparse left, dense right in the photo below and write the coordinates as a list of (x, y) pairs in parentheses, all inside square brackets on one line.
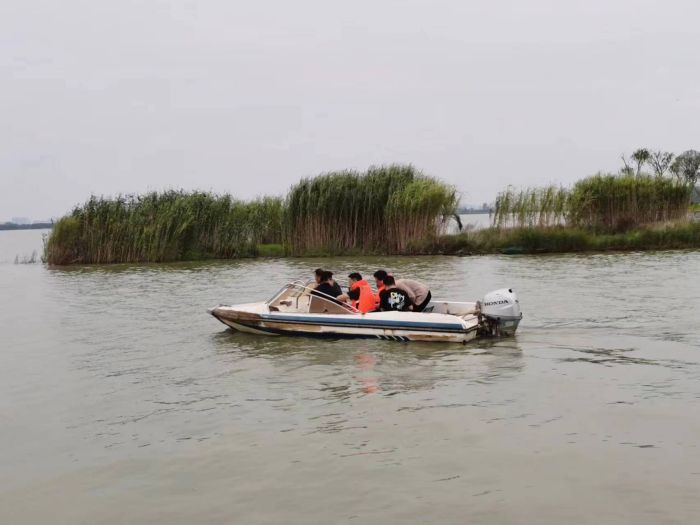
[(603, 202)]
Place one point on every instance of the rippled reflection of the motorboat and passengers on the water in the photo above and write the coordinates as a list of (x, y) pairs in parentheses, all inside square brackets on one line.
[(378, 367)]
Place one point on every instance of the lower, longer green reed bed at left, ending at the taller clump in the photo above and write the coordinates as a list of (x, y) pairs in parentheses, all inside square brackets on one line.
[(159, 227)]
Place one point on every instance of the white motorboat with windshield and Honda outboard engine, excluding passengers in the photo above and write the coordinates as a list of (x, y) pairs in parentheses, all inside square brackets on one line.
[(295, 310)]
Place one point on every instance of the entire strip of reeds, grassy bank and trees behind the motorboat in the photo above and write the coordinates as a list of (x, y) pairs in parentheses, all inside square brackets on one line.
[(388, 210)]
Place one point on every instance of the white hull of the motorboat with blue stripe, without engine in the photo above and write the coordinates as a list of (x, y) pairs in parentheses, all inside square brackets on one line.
[(397, 326)]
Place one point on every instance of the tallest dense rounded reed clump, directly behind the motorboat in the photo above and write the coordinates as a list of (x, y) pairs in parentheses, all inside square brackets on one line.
[(377, 211)]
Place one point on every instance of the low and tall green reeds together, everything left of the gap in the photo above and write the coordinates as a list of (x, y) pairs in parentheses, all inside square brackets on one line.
[(378, 211)]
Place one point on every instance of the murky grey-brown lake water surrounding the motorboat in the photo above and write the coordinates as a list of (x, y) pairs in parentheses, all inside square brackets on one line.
[(121, 400)]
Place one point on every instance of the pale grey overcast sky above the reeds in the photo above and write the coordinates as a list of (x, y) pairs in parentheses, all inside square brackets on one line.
[(121, 96)]
